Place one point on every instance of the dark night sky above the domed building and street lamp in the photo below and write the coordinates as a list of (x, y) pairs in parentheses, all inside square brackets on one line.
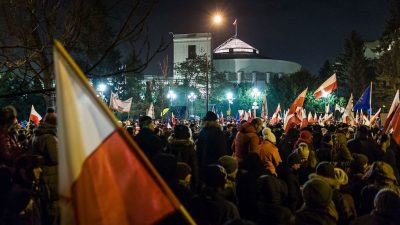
[(303, 31)]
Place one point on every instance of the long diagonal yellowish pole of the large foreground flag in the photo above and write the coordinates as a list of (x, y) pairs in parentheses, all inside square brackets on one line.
[(134, 147)]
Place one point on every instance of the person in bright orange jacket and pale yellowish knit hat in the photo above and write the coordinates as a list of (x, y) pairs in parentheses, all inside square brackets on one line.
[(268, 152)]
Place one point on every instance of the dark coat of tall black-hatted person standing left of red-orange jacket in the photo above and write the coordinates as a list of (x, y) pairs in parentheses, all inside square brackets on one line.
[(211, 144)]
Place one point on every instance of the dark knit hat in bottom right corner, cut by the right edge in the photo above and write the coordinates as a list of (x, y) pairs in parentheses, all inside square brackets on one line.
[(387, 202)]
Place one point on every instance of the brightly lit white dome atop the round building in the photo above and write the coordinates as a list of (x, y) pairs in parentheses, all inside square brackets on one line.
[(235, 46)]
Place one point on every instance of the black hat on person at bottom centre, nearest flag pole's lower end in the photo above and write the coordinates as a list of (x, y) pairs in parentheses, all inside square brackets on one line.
[(214, 176)]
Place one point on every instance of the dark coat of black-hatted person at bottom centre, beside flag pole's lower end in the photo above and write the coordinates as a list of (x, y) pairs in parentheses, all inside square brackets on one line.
[(210, 208)]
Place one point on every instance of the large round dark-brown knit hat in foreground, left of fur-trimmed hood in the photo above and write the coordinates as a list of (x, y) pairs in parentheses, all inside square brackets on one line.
[(317, 193)]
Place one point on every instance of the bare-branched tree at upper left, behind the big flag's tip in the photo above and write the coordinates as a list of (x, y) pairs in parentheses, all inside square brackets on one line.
[(93, 31)]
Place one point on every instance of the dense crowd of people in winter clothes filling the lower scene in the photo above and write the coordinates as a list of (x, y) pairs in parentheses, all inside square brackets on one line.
[(236, 172)]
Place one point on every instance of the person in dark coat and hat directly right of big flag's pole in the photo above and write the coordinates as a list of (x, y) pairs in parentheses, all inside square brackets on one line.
[(147, 140)]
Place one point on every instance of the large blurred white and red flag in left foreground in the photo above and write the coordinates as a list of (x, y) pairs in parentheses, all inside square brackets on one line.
[(104, 177)]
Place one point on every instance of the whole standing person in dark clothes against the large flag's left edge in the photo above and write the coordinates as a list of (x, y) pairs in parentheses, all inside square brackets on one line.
[(45, 144)]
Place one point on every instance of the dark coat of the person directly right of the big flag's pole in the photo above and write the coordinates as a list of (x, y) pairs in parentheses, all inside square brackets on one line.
[(149, 142)]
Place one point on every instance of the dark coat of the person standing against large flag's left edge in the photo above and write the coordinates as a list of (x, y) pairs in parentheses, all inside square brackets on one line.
[(45, 144)]
